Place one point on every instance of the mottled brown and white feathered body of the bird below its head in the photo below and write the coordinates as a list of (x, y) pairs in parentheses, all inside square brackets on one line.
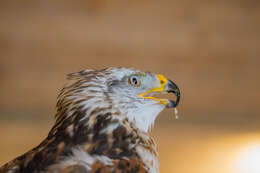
[(108, 145)]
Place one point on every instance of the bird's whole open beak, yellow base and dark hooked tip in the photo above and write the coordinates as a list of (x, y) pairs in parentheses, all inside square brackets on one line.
[(166, 86)]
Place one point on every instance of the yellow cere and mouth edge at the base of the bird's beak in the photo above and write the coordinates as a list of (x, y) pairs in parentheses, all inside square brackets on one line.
[(163, 82)]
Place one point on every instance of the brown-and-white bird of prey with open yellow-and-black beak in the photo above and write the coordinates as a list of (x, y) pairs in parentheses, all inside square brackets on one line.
[(102, 124)]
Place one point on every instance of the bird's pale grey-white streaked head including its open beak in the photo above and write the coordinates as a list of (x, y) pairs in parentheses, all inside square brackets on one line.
[(127, 91)]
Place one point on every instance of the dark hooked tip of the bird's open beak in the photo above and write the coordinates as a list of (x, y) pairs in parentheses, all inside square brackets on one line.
[(171, 87)]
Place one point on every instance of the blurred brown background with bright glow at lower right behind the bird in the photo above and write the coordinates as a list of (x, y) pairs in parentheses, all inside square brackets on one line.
[(209, 48)]
